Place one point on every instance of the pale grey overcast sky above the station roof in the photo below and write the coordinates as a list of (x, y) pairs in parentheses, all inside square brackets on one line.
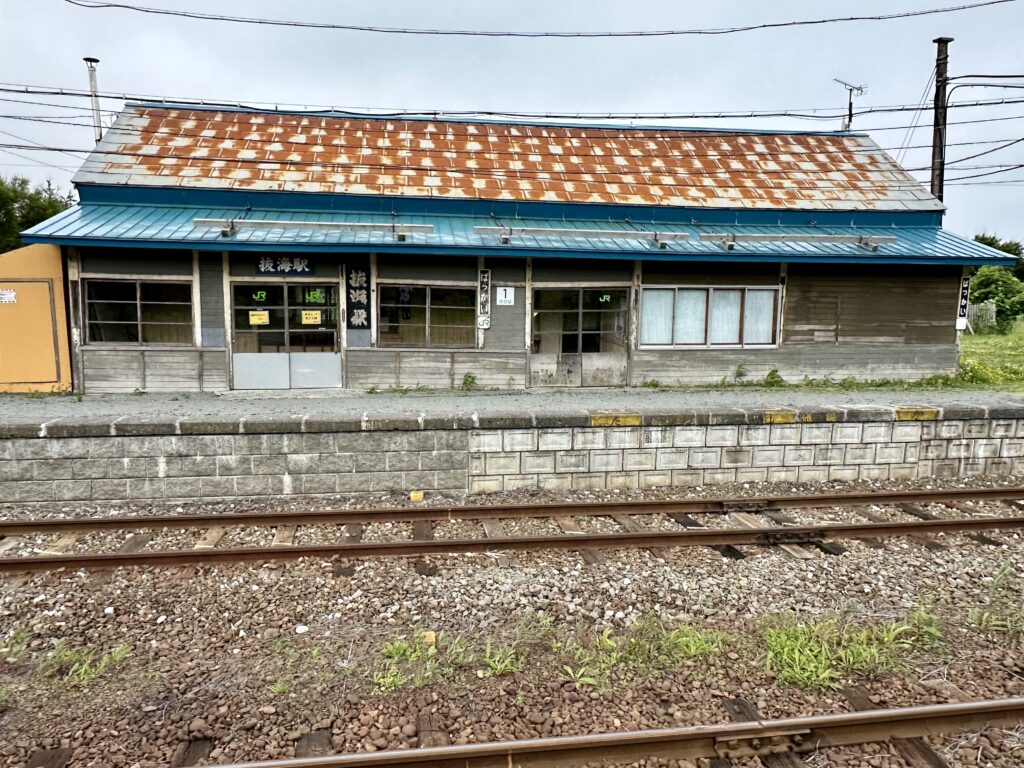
[(42, 42)]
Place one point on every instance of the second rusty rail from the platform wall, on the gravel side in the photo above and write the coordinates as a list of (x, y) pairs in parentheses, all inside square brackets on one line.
[(685, 538)]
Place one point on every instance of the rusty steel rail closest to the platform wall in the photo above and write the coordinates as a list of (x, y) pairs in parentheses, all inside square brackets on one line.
[(491, 513)]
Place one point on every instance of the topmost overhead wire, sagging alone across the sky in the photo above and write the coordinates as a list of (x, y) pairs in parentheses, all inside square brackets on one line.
[(198, 16)]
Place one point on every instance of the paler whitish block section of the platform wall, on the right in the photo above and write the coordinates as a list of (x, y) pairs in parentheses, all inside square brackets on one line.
[(645, 457)]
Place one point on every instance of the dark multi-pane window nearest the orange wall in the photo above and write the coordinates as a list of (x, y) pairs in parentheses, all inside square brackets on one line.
[(139, 312)]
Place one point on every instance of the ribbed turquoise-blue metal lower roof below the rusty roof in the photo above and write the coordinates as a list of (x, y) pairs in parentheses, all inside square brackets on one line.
[(173, 227)]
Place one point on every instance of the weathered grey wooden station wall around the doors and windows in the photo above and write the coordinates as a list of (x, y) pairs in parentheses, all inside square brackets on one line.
[(843, 321)]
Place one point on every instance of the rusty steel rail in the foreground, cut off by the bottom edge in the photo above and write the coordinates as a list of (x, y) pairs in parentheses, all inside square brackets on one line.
[(728, 741)]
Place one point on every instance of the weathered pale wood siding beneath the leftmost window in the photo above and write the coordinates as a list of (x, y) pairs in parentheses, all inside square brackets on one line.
[(162, 370)]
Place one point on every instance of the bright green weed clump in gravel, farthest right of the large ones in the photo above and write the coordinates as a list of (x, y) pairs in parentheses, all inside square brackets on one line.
[(818, 655)]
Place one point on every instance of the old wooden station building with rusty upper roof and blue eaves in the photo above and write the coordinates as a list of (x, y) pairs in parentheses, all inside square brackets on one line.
[(232, 249)]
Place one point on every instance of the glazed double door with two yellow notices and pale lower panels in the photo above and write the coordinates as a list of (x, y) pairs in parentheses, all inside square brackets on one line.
[(285, 336)]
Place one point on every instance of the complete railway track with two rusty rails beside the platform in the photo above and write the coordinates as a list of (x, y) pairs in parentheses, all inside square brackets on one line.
[(49, 544)]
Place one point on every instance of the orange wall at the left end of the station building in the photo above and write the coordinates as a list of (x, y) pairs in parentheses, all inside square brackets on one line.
[(34, 351)]
